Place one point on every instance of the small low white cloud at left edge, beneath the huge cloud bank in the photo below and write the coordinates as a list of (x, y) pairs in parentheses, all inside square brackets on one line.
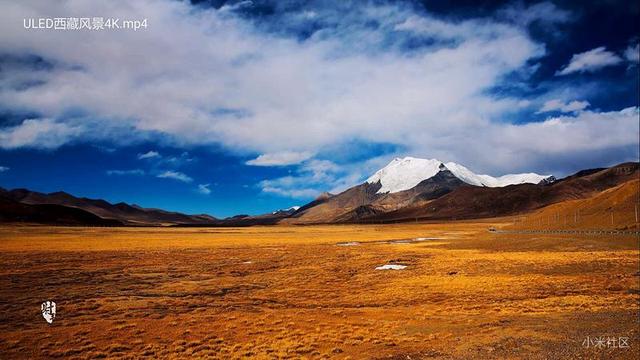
[(39, 133)]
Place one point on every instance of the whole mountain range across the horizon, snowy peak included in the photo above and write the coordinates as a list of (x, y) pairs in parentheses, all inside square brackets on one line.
[(407, 189)]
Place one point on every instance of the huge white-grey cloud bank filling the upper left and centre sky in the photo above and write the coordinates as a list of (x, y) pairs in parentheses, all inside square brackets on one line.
[(255, 92)]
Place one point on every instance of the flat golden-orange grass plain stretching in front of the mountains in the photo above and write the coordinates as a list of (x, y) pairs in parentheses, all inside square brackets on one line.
[(292, 292)]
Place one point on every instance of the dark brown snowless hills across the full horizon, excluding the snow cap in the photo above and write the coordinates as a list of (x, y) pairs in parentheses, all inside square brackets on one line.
[(442, 197)]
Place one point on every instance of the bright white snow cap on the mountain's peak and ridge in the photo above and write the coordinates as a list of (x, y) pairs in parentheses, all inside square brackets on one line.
[(406, 173)]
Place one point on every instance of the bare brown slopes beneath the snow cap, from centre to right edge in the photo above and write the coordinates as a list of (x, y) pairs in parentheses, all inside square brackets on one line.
[(445, 197)]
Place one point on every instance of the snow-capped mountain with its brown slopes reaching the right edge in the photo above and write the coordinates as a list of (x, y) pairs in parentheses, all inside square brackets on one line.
[(448, 195)]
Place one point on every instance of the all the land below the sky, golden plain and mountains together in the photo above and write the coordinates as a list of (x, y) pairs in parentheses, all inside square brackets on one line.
[(421, 261)]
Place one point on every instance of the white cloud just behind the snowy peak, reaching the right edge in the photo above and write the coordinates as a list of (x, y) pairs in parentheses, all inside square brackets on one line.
[(611, 136)]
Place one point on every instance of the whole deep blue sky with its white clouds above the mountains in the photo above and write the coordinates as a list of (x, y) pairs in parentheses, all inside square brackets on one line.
[(249, 106)]
